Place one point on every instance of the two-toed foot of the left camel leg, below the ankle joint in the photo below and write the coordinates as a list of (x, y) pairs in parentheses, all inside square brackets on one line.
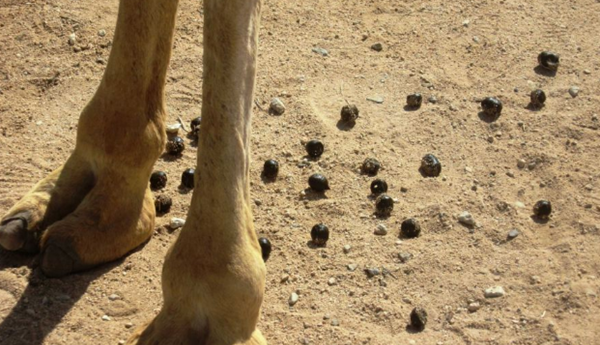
[(78, 217)]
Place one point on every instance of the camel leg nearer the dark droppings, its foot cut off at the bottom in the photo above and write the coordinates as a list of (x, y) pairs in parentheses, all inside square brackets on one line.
[(213, 277)]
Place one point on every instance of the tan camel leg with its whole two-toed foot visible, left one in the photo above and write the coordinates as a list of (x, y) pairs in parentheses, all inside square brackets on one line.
[(97, 206)]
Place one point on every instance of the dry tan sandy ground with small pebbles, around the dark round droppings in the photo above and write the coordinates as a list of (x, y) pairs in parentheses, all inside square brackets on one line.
[(459, 52)]
